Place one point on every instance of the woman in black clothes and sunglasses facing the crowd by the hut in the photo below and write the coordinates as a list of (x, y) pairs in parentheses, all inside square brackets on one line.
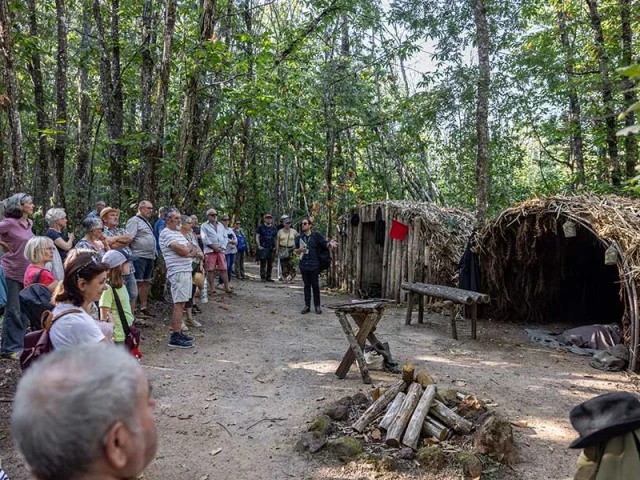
[(307, 244)]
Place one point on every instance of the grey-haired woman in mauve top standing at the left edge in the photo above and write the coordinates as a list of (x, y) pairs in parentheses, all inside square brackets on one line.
[(15, 232)]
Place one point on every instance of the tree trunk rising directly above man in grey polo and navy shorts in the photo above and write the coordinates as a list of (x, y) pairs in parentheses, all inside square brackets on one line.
[(153, 150)]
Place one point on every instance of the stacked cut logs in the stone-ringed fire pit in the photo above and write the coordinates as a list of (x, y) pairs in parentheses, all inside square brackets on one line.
[(412, 411)]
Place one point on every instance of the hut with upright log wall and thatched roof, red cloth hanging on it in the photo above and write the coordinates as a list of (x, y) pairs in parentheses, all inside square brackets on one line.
[(368, 263)]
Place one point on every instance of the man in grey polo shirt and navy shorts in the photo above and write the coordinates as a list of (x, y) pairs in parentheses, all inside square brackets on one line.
[(143, 246)]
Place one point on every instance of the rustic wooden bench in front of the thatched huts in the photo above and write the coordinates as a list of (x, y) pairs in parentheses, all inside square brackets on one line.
[(452, 296)]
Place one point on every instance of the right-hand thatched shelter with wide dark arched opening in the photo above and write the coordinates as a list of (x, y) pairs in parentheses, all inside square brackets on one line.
[(569, 259)]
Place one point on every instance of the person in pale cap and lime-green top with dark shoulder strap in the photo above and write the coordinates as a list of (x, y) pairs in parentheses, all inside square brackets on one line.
[(114, 302)]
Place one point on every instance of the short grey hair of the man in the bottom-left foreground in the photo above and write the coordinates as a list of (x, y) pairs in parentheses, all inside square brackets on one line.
[(66, 404)]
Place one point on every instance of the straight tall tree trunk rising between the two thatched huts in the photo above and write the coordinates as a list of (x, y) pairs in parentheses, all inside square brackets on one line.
[(482, 112)]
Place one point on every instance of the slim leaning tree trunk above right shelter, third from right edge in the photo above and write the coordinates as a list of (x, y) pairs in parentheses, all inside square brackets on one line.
[(575, 124)]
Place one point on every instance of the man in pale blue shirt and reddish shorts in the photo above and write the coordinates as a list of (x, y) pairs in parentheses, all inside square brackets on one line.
[(214, 237)]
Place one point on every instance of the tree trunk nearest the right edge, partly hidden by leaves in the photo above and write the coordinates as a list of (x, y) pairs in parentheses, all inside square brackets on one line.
[(630, 97)]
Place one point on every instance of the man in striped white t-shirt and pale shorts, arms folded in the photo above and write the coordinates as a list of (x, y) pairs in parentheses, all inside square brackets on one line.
[(178, 256)]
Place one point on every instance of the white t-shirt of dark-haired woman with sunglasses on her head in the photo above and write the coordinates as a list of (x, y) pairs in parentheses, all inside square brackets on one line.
[(74, 328)]
